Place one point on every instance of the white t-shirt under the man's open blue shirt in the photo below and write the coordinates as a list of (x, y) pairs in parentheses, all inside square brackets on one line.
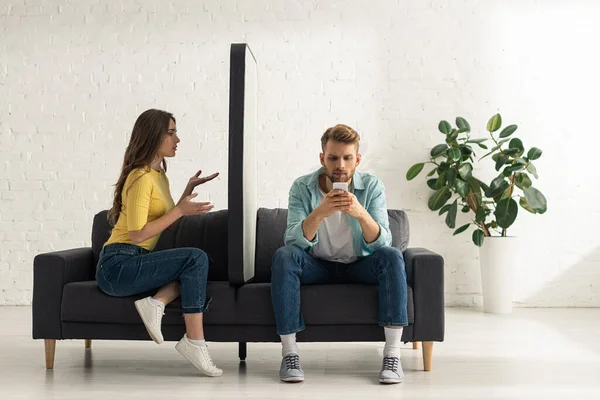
[(335, 238)]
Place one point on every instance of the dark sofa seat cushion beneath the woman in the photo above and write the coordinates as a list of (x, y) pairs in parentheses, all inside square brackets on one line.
[(85, 302)]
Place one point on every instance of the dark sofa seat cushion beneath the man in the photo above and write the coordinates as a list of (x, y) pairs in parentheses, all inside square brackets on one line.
[(341, 304)]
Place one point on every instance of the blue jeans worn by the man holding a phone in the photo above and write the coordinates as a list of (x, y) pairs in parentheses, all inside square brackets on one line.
[(292, 267)]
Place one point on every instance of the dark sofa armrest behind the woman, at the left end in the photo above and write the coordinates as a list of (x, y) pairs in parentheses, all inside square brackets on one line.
[(51, 271)]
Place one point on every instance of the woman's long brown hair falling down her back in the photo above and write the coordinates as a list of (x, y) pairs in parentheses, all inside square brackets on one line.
[(148, 133)]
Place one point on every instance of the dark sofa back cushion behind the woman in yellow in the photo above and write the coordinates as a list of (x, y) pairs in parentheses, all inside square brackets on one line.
[(207, 232)]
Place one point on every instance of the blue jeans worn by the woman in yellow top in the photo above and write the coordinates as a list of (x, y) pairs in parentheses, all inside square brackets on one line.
[(126, 269)]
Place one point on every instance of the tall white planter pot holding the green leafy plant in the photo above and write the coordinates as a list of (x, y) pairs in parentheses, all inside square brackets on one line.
[(497, 260)]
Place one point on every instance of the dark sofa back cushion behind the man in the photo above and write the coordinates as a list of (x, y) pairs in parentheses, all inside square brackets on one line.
[(271, 226)]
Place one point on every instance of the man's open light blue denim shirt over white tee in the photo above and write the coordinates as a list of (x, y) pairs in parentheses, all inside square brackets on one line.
[(304, 198)]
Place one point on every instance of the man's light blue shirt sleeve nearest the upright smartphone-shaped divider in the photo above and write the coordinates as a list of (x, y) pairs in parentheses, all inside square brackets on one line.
[(298, 210)]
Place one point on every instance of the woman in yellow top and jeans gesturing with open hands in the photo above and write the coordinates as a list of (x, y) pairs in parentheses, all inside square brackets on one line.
[(142, 209)]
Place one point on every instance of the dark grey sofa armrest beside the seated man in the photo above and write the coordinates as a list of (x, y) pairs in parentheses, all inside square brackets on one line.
[(425, 274)]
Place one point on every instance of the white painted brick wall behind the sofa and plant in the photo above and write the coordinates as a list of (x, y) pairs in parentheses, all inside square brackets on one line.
[(74, 75)]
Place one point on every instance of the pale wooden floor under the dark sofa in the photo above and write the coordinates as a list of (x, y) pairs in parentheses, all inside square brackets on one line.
[(531, 354)]
